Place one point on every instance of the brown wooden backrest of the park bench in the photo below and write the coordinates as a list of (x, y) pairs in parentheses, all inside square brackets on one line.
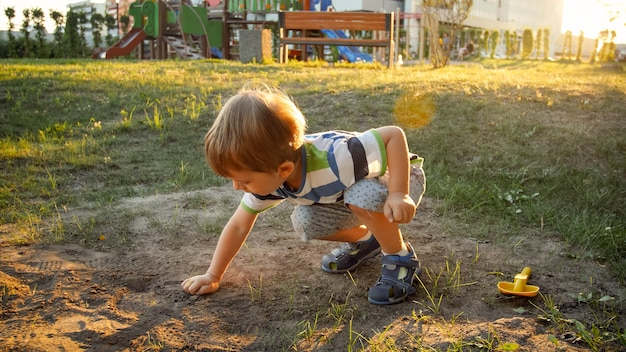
[(317, 20)]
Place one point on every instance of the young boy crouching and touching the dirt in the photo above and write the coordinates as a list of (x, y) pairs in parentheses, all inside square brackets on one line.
[(348, 187)]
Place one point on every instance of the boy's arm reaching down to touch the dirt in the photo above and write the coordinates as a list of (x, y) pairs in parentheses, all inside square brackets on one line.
[(231, 239)]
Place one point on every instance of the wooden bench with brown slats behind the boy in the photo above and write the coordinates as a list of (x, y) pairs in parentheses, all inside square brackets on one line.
[(307, 21)]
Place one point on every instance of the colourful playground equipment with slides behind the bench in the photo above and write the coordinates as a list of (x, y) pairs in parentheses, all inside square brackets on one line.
[(167, 29)]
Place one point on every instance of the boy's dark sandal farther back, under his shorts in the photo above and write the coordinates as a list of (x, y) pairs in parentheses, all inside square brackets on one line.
[(349, 256)]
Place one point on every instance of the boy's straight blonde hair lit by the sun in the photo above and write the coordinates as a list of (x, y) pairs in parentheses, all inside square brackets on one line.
[(258, 129)]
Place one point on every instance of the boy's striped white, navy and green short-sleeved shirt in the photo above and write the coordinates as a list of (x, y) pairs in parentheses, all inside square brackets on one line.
[(331, 162)]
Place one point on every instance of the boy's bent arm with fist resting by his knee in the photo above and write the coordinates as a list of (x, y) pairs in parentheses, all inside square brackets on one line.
[(399, 206)]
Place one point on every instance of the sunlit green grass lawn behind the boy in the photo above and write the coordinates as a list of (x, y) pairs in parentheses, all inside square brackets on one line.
[(532, 147)]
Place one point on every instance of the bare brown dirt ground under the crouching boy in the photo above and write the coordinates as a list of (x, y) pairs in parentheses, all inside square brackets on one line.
[(121, 292)]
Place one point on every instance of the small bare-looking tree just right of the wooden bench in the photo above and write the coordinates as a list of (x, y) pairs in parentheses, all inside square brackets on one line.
[(451, 12)]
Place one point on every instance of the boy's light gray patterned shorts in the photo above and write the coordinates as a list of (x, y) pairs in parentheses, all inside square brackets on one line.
[(321, 220)]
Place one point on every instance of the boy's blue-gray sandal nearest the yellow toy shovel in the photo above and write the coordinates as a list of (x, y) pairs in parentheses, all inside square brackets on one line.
[(389, 287)]
